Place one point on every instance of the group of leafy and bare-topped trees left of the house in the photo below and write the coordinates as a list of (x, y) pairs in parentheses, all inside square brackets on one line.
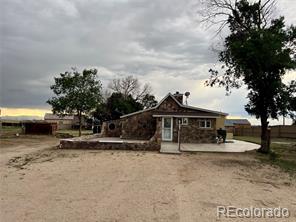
[(81, 93)]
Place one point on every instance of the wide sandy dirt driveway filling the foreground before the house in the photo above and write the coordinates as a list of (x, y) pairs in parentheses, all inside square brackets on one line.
[(42, 183)]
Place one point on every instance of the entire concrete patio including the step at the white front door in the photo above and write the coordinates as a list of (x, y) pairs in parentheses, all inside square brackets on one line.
[(232, 146)]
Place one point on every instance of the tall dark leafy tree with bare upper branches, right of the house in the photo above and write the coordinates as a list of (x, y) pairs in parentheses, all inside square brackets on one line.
[(257, 53)]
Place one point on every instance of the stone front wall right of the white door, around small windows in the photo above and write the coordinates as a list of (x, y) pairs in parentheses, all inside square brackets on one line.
[(191, 133)]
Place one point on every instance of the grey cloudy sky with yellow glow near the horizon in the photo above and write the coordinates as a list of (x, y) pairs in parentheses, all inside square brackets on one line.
[(159, 41)]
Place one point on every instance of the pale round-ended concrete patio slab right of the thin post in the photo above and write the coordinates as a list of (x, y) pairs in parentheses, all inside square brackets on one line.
[(232, 146)]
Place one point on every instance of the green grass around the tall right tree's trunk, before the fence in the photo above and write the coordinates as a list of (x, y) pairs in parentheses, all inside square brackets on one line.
[(283, 152)]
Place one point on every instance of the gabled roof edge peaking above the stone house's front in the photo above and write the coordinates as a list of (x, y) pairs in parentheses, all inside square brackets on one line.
[(181, 105)]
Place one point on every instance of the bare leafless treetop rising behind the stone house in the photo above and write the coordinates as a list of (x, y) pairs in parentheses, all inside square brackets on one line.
[(130, 86)]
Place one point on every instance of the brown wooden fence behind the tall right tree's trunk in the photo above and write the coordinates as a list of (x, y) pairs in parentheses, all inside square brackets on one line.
[(276, 131)]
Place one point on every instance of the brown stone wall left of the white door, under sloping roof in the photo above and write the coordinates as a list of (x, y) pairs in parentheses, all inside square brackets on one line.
[(140, 126)]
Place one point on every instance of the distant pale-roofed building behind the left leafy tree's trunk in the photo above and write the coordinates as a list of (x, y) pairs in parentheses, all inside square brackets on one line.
[(64, 122)]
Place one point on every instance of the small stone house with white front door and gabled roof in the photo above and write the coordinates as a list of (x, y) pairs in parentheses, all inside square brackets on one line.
[(169, 120)]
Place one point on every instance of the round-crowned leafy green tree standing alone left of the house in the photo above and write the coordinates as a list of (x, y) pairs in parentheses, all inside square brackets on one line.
[(76, 93)]
